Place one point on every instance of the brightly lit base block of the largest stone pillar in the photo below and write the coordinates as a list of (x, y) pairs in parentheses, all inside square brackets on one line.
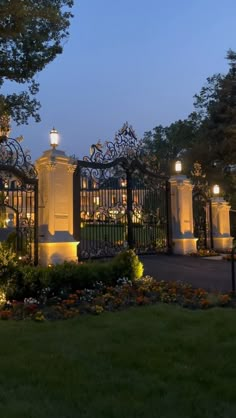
[(57, 252)]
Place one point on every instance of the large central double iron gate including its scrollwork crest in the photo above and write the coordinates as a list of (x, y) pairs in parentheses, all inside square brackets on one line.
[(118, 201)]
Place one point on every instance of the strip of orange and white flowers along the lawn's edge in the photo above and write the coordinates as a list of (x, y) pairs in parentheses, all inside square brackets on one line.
[(102, 298)]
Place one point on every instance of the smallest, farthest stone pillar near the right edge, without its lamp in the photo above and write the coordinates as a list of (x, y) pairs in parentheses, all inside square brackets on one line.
[(221, 224)]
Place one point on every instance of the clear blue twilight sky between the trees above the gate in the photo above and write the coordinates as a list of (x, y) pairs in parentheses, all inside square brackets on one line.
[(129, 60)]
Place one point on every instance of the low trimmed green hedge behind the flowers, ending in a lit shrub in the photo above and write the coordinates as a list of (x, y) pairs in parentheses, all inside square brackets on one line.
[(27, 281)]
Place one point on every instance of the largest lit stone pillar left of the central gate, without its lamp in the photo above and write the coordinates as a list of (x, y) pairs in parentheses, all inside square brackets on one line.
[(56, 242)]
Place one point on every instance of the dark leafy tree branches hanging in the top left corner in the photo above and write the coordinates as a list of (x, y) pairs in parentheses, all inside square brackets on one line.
[(32, 34)]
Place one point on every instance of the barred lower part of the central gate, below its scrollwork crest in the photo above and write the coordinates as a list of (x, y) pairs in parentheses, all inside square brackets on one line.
[(118, 211)]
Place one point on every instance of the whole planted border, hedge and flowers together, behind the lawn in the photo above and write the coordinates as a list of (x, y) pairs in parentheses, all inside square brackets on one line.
[(64, 291)]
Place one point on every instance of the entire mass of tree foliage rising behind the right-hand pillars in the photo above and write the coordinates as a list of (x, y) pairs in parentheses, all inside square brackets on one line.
[(208, 135)]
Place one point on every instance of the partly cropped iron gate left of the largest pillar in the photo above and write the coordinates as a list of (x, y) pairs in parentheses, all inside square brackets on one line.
[(18, 199)]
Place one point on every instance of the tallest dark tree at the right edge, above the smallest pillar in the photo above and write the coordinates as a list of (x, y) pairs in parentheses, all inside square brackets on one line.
[(215, 144)]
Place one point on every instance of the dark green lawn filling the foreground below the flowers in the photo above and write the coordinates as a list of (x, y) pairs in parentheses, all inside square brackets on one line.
[(156, 361)]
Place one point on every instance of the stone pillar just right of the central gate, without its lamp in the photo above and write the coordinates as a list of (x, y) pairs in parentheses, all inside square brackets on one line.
[(182, 215)]
